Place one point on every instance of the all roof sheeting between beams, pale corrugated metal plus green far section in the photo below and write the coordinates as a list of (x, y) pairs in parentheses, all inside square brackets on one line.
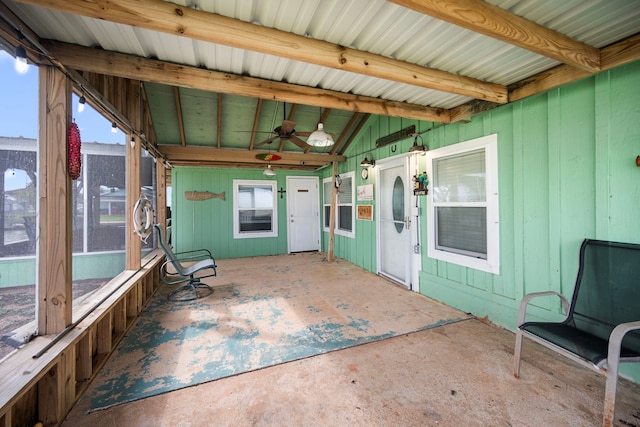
[(375, 26)]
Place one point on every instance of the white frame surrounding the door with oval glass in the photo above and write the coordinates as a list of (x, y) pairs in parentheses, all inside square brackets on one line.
[(414, 260)]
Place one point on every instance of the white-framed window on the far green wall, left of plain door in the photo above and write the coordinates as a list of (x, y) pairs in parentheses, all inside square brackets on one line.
[(254, 213)]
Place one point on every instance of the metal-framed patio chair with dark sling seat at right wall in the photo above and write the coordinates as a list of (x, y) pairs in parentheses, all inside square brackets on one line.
[(602, 324)]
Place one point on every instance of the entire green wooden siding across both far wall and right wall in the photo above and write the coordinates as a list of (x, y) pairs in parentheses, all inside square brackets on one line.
[(567, 171)]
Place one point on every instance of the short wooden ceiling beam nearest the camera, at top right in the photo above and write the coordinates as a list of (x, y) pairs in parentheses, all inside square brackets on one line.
[(484, 18)]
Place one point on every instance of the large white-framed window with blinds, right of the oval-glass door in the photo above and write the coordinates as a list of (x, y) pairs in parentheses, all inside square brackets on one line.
[(463, 204)]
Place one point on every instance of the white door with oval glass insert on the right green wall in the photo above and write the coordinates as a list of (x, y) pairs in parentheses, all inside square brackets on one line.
[(394, 221)]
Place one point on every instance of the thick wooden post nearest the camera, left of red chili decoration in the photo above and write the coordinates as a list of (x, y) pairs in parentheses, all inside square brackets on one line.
[(54, 194)]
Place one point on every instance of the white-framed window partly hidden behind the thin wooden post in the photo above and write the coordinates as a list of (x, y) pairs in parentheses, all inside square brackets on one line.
[(345, 216)]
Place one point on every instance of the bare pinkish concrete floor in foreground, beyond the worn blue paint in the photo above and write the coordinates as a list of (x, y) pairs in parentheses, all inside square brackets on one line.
[(453, 375)]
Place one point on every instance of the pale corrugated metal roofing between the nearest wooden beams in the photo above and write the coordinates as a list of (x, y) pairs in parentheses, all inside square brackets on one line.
[(375, 26)]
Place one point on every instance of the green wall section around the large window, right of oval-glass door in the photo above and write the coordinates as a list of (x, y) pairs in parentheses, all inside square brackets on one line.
[(566, 171)]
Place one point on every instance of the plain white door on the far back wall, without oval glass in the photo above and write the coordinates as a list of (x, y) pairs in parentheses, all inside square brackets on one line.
[(303, 214)]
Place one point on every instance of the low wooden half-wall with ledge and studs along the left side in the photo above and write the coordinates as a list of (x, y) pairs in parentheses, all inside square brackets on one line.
[(43, 380)]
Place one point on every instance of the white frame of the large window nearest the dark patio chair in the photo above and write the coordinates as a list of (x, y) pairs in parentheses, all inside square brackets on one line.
[(490, 146)]
